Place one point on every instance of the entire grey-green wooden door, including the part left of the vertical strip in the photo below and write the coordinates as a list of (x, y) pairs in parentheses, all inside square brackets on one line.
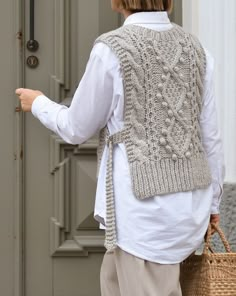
[(51, 245)]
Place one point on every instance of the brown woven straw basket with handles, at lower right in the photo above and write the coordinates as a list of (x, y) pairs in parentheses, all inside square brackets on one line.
[(210, 273)]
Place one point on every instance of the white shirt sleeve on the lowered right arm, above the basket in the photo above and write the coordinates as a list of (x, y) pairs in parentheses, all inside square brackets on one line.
[(211, 135)]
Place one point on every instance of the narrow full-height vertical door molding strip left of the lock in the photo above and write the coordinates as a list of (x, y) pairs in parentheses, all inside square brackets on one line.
[(19, 202)]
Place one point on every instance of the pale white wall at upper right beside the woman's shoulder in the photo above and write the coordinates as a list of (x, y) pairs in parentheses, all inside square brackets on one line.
[(215, 25)]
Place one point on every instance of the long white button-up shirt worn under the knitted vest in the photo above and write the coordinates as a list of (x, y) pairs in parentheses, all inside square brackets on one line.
[(163, 229)]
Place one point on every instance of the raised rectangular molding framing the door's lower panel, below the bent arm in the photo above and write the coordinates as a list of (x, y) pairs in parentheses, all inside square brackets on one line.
[(60, 226)]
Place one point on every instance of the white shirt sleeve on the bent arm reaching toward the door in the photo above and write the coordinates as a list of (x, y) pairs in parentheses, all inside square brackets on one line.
[(91, 107)]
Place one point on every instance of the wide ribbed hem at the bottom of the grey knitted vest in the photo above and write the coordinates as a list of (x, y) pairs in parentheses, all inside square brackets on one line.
[(168, 176)]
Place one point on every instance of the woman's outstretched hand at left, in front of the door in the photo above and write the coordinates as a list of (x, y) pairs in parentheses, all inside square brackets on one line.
[(27, 96)]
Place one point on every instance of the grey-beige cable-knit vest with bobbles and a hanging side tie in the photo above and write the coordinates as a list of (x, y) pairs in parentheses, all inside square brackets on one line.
[(163, 75)]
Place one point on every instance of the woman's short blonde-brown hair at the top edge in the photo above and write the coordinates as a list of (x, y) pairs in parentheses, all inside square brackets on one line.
[(147, 5)]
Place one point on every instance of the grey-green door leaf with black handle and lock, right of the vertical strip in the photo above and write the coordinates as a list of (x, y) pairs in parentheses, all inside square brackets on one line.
[(64, 246)]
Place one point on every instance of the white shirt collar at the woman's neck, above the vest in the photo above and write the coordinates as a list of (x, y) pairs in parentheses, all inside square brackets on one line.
[(154, 17)]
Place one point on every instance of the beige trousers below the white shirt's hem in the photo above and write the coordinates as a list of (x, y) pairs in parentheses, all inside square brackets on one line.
[(123, 274)]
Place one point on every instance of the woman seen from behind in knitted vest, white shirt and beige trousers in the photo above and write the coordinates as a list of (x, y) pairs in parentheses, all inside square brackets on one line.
[(148, 88)]
